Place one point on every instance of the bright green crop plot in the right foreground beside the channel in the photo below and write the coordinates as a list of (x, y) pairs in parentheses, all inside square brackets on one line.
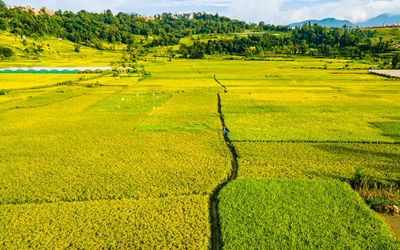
[(298, 214)]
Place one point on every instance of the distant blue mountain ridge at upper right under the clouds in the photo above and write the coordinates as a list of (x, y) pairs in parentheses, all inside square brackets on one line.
[(332, 22)]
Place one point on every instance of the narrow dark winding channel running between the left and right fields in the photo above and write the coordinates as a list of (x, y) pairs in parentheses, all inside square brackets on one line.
[(216, 235)]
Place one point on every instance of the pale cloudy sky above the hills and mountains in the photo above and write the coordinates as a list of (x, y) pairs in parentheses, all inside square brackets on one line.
[(269, 11)]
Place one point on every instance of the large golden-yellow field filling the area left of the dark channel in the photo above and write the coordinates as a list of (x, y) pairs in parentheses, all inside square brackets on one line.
[(106, 149)]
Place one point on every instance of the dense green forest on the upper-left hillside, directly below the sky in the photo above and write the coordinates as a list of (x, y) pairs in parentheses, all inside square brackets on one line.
[(88, 28)]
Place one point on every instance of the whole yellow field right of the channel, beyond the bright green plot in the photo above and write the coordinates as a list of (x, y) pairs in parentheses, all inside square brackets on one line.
[(312, 123)]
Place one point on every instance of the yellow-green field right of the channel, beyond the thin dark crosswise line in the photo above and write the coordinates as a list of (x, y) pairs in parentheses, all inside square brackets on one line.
[(272, 101)]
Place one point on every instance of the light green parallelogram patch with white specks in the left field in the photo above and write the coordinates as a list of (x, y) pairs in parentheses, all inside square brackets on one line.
[(129, 103)]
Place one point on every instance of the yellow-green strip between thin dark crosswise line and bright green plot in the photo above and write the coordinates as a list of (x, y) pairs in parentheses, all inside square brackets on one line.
[(327, 161)]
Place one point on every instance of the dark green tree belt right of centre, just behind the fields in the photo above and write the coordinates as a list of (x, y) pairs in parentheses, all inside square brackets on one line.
[(306, 40)]
